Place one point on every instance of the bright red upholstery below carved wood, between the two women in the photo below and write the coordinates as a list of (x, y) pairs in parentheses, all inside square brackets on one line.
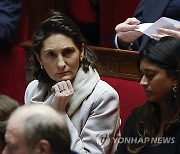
[(131, 95)]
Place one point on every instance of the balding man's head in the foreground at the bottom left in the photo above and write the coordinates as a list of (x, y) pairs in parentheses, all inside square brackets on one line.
[(37, 129)]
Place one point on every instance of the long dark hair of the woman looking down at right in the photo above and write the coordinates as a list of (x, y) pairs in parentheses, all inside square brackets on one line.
[(165, 54)]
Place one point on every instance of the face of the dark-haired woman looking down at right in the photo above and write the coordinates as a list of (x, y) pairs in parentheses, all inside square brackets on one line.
[(156, 82)]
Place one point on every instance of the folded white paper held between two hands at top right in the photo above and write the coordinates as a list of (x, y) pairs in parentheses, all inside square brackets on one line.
[(163, 22)]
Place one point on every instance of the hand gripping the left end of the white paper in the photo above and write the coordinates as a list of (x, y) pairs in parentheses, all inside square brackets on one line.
[(126, 32)]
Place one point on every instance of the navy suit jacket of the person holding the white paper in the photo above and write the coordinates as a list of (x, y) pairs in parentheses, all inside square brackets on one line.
[(148, 11)]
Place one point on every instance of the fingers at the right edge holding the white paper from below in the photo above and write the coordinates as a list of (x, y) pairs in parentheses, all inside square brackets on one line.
[(162, 32)]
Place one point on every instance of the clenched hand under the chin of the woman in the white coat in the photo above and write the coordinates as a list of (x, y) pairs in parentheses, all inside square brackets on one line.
[(63, 93)]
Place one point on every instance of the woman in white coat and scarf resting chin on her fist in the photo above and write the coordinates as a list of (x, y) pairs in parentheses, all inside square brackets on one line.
[(66, 80)]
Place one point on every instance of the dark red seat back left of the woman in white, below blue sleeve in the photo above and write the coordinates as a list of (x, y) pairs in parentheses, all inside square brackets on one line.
[(12, 73)]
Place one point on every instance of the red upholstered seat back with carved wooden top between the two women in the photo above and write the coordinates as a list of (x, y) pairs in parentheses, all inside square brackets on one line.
[(119, 69)]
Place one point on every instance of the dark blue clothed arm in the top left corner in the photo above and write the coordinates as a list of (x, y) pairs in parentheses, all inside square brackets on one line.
[(9, 19)]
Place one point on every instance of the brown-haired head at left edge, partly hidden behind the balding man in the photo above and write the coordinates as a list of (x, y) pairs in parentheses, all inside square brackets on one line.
[(7, 105)]
